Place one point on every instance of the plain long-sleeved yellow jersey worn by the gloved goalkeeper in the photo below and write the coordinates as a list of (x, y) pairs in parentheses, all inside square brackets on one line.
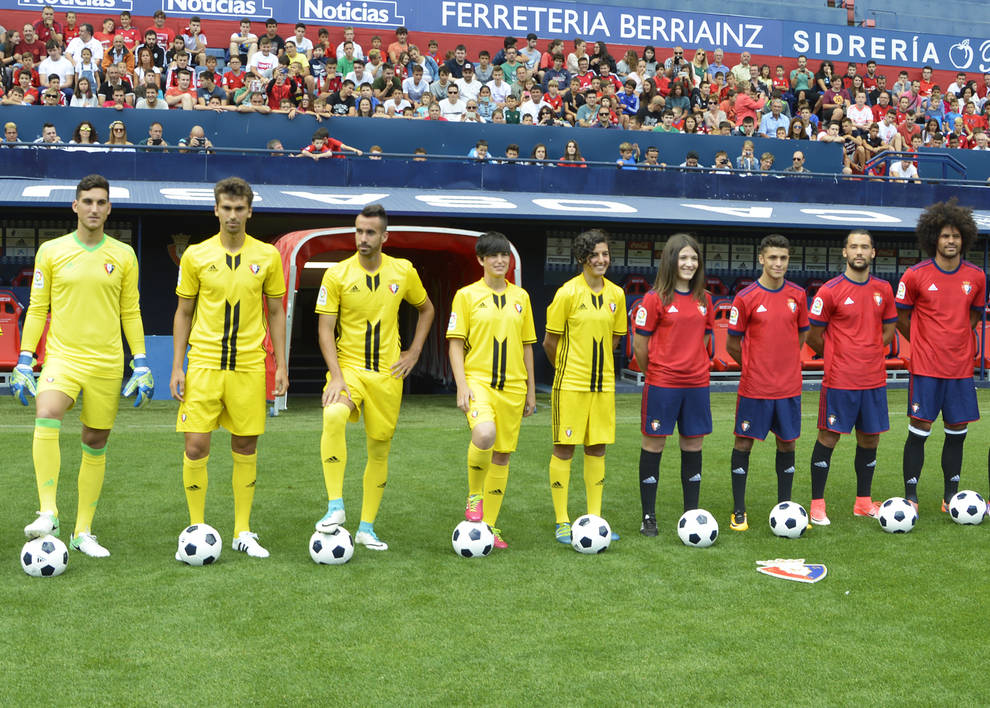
[(92, 292)]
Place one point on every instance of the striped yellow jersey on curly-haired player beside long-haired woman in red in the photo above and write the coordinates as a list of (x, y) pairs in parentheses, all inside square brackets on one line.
[(586, 322)]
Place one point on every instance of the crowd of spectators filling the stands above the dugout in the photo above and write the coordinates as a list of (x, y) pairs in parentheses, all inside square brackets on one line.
[(53, 62)]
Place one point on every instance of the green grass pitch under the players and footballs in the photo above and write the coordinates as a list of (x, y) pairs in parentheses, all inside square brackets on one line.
[(899, 619)]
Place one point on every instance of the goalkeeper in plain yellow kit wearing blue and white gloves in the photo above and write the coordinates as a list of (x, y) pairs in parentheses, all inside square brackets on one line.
[(88, 281)]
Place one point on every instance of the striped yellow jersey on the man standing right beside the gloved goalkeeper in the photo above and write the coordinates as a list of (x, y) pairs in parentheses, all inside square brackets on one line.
[(229, 323)]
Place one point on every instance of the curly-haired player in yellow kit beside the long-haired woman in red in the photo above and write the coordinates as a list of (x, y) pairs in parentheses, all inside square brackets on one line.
[(584, 323)]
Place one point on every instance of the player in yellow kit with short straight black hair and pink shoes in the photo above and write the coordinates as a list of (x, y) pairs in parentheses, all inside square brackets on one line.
[(491, 337)]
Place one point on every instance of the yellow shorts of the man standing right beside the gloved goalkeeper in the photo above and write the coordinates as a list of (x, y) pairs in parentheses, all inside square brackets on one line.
[(233, 399)]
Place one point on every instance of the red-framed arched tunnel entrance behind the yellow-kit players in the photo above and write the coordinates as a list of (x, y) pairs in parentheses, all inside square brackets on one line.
[(444, 258)]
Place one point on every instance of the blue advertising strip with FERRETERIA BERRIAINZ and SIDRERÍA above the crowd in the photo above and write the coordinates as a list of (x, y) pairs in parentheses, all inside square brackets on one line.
[(549, 20)]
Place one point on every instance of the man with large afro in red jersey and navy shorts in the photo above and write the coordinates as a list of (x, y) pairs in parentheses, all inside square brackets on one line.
[(939, 302)]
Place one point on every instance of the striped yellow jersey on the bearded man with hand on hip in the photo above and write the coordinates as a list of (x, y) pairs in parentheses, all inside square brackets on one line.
[(367, 309)]
